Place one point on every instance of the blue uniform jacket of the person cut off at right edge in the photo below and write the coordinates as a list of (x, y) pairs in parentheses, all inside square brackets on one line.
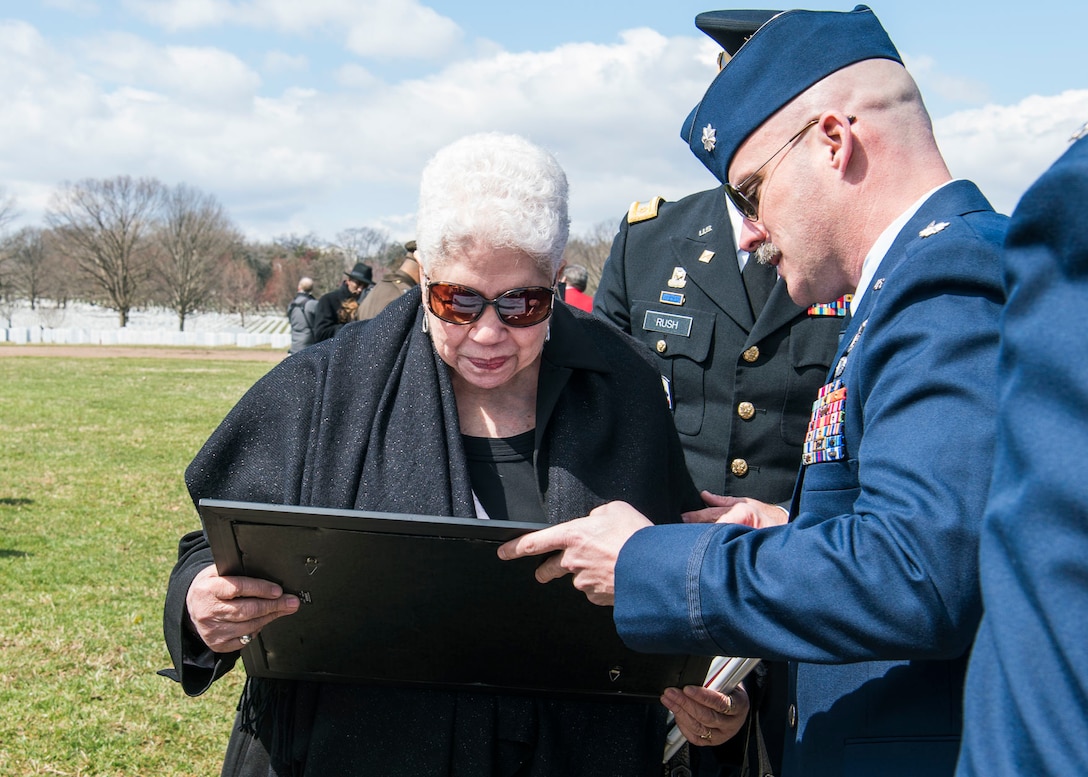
[(1027, 708)]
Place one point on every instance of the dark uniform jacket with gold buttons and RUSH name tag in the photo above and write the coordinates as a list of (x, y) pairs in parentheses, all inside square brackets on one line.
[(776, 362)]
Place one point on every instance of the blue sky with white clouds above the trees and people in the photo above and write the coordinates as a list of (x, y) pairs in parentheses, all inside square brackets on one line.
[(317, 116)]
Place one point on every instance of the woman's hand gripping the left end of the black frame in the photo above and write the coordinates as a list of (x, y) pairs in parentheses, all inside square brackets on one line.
[(224, 611)]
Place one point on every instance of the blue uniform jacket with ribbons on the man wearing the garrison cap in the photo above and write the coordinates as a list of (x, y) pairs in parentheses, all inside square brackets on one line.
[(872, 591)]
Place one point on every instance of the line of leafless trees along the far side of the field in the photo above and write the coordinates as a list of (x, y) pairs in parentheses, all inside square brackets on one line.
[(129, 244)]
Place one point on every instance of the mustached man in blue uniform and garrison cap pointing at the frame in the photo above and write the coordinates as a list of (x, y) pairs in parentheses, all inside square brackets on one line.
[(871, 591)]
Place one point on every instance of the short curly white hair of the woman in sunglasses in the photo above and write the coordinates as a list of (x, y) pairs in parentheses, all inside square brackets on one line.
[(496, 191)]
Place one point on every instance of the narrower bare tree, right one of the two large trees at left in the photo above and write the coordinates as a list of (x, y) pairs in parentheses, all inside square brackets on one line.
[(194, 239)]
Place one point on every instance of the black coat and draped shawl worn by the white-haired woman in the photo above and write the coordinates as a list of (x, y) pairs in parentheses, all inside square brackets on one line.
[(327, 428)]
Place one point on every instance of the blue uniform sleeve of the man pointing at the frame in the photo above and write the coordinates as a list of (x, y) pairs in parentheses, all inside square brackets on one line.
[(882, 562)]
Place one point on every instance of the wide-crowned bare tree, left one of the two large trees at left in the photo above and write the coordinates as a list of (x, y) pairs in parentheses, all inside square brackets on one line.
[(105, 225)]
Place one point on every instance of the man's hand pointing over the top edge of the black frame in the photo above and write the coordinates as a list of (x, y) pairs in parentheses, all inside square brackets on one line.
[(588, 549)]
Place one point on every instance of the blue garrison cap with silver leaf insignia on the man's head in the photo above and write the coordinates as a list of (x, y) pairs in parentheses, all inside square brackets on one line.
[(783, 59)]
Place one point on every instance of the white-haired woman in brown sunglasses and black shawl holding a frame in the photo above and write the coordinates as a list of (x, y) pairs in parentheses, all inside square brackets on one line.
[(475, 396)]
